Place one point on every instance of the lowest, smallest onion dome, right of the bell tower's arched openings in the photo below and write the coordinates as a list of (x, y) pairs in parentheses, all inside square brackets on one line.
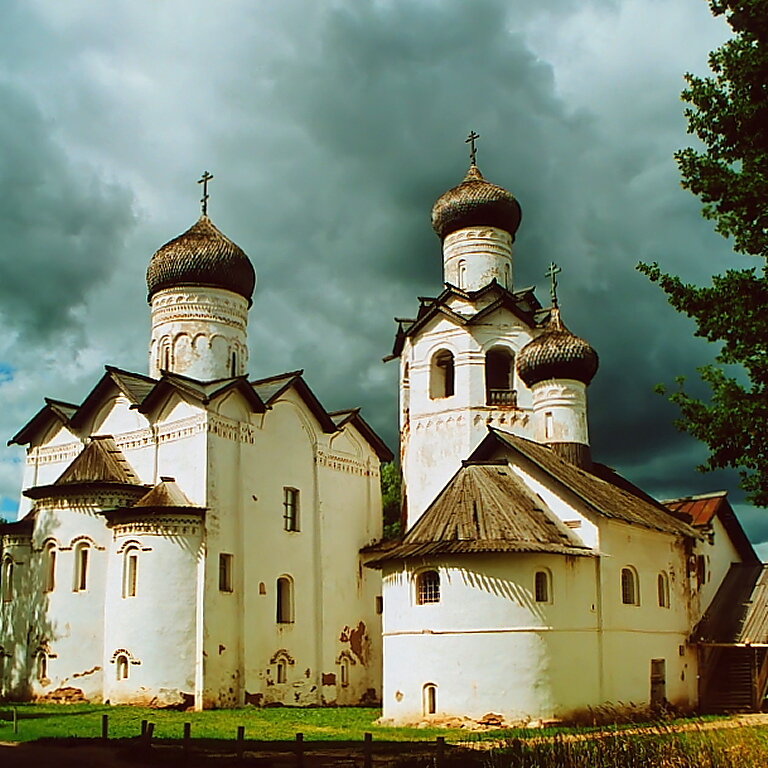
[(556, 354)]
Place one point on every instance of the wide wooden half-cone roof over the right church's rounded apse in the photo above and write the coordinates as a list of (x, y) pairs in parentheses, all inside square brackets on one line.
[(486, 508)]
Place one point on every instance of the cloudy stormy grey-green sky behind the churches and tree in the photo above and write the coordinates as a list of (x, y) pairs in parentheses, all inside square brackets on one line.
[(331, 127)]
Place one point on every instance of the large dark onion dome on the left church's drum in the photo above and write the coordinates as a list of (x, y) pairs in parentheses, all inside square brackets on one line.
[(203, 255)]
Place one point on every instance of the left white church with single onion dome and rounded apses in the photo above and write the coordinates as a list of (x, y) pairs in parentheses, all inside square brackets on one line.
[(192, 537)]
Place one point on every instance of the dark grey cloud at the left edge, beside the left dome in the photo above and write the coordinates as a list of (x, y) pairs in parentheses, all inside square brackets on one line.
[(61, 228)]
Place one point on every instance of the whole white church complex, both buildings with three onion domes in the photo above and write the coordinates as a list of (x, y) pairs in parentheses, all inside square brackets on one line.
[(198, 538)]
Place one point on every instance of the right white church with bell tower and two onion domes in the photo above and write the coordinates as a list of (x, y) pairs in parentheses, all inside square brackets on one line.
[(532, 581)]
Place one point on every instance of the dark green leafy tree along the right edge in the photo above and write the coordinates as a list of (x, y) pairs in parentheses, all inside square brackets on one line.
[(728, 111)]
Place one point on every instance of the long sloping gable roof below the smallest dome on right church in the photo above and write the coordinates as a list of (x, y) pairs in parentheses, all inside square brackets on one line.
[(604, 498)]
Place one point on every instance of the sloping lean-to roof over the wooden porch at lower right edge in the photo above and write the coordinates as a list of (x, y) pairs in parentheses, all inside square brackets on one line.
[(738, 614)]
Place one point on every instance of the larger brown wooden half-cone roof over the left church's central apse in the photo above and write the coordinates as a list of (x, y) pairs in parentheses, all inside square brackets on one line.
[(100, 464)]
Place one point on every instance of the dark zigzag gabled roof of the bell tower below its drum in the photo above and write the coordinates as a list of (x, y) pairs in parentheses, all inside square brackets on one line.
[(523, 304)]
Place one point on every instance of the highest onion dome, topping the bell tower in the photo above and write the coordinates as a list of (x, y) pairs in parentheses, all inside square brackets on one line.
[(475, 203)]
